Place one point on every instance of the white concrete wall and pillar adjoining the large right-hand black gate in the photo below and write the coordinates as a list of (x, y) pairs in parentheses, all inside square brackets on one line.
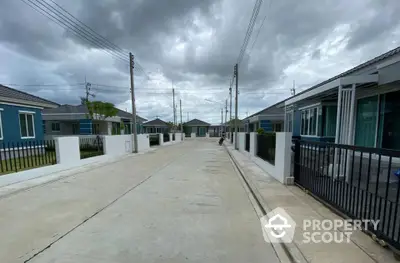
[(281, 170)]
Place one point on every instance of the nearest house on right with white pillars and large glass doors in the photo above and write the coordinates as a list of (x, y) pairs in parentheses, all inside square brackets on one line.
[(360, 106)]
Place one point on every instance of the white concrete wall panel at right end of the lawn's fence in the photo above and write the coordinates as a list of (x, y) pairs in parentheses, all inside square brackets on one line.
[(67, 150)]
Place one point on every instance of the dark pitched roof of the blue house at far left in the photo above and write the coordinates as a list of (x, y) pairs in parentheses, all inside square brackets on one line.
[(13, 95)]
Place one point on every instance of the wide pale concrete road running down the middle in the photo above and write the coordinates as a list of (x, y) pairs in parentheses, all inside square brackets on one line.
[(181, 203)]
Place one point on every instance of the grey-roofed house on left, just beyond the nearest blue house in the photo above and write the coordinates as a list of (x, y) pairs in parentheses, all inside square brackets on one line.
[(74, 120)]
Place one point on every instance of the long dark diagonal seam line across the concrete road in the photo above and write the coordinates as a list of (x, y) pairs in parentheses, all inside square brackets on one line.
[(97, 212)]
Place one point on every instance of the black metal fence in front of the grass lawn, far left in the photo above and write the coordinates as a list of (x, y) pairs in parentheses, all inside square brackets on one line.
[(18, 156)]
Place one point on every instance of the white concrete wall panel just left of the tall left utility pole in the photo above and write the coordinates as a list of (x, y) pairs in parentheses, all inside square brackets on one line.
[(117, 144)]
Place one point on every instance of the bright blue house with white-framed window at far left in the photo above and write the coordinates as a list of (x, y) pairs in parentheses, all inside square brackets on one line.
[(20, 116)]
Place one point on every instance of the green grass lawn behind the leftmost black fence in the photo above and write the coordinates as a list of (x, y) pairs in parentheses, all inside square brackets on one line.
[(25, 163)]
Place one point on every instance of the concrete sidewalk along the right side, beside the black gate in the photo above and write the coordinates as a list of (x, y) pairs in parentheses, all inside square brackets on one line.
[(301, 206)]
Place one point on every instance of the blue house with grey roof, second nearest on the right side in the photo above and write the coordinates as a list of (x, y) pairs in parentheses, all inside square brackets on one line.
[(270, 119)]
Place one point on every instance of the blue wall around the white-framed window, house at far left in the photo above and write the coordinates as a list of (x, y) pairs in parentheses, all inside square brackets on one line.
[(11, 126)]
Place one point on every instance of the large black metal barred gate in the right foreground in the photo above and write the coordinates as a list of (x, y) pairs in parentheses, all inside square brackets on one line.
[(361, 182)]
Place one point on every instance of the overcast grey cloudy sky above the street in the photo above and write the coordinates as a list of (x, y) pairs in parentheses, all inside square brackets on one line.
[(191, 45)]
